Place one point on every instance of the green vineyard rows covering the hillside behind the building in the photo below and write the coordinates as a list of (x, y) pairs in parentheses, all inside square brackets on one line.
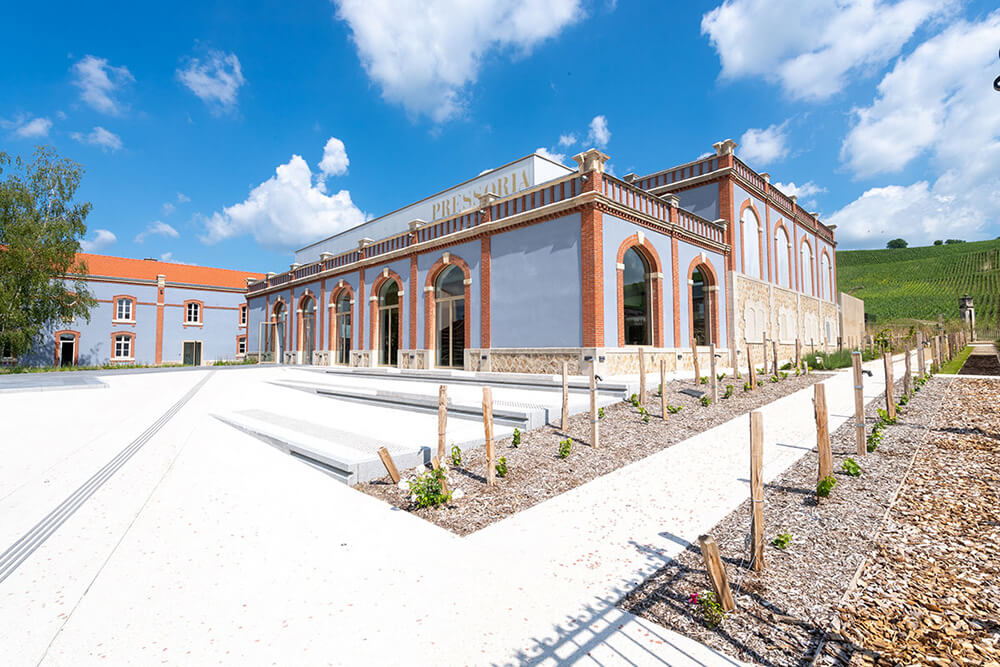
[(921, 283)]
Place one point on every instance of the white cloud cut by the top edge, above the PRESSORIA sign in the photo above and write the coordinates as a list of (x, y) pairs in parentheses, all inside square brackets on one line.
[(426, 57)]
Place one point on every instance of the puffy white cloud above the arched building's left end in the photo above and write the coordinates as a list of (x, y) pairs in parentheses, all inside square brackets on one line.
[(286, 211)]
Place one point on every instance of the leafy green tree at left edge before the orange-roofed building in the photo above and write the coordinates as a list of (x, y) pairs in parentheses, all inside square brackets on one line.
[(40, 231)]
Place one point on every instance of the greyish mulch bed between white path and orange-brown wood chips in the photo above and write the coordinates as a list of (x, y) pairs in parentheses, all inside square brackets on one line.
[(782, 612)]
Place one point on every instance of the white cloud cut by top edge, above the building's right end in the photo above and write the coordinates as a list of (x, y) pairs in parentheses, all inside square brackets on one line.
[(843, 37)]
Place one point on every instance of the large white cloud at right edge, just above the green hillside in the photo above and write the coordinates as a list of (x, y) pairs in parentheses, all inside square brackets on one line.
[(936, 102)]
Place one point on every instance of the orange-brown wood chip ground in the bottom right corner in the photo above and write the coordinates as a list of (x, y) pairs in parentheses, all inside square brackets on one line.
[(931, 593)]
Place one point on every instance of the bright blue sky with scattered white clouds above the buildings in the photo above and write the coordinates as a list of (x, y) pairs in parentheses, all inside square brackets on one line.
[(229, 135)]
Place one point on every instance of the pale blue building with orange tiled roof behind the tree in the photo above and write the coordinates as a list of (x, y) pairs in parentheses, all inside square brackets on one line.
[(152, 312)]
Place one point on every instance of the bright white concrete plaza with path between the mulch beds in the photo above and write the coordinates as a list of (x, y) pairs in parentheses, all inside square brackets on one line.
[(209, 546)]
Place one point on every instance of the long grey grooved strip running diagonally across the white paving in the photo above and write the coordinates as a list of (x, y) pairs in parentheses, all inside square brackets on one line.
[(21, 550)]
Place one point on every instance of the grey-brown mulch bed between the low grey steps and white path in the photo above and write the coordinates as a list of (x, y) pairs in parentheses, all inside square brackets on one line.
[(536, 473)]
